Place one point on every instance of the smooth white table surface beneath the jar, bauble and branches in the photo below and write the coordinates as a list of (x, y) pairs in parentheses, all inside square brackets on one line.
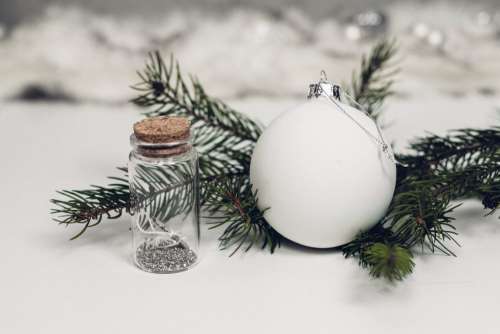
[(49, 284)]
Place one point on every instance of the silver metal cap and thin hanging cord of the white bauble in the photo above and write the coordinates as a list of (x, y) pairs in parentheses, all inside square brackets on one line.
[(333, 92)]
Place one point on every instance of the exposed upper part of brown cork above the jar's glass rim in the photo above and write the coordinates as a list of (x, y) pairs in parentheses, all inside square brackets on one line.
[(162, 129)]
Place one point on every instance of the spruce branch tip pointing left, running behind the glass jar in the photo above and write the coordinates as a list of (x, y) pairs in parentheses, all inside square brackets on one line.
[(89, 207)]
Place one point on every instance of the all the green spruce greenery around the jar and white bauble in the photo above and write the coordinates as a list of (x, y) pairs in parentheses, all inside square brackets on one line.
[(441, 170)]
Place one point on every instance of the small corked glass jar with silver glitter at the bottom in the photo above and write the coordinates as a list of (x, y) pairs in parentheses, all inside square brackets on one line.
[(163, 177)]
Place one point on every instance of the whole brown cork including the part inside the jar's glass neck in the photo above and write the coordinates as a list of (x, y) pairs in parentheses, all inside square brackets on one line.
[(162, 136)]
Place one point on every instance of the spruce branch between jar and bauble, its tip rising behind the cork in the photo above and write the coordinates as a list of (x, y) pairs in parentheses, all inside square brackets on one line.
[(225, 139)]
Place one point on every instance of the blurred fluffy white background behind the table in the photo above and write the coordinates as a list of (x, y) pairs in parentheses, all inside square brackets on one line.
[(89, 50)]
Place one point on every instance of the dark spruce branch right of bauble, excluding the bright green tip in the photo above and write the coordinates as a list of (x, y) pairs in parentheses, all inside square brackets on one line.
[(441, 169)]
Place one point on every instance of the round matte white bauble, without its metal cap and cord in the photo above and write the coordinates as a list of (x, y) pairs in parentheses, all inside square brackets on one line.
[(321, 176)]
